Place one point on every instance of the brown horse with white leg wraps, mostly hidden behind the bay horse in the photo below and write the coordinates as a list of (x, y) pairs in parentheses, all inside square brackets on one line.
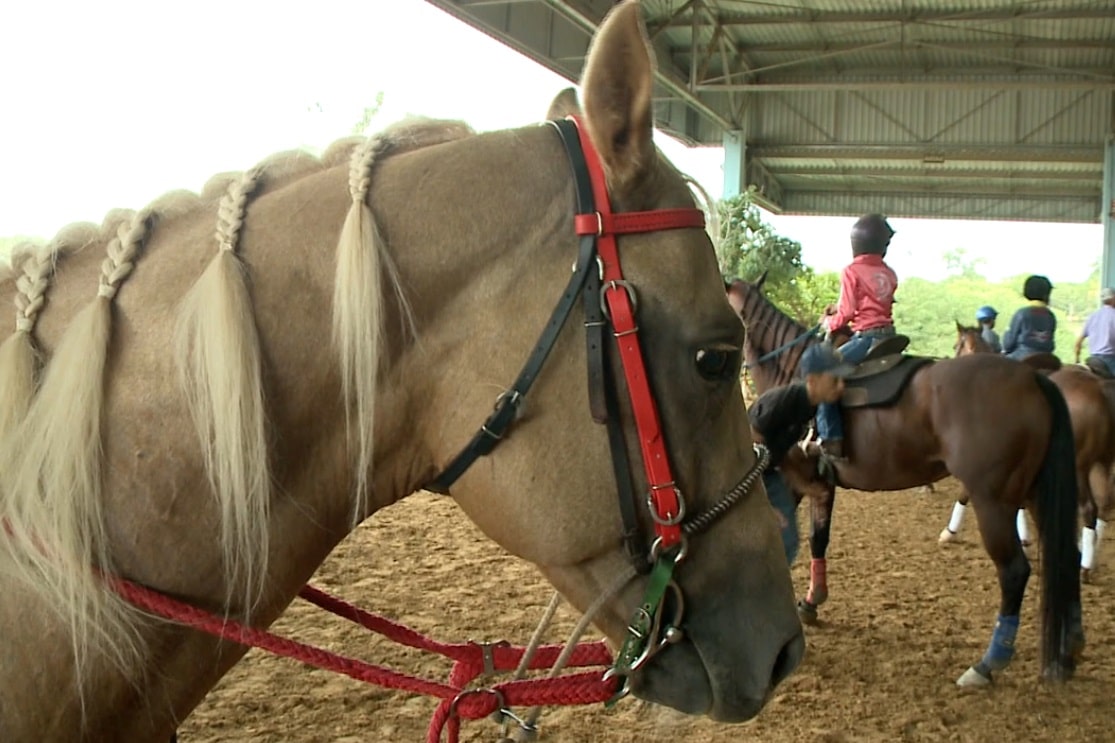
[(1091, 408)]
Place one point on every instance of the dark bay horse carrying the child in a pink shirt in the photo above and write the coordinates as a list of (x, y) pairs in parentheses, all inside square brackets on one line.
[(996, 426)]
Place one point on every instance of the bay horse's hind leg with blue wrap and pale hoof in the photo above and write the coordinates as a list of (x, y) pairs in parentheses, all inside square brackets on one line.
[(997, 525)]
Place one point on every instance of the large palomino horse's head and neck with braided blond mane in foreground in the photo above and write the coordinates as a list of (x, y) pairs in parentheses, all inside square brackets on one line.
[(451, 249)]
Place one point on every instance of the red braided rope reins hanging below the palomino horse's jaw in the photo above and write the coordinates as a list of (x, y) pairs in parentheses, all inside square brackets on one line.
[(471, 660)]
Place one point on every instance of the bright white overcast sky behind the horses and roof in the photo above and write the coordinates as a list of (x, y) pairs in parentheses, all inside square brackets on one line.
[(113, 103)]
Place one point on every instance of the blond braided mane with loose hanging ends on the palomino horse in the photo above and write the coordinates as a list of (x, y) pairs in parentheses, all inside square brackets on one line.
[(55, 535)]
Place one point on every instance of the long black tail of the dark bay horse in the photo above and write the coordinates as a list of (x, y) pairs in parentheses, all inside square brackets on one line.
[(1056, 517)]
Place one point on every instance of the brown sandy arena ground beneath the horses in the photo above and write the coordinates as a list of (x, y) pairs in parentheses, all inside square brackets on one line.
[(905, 619)]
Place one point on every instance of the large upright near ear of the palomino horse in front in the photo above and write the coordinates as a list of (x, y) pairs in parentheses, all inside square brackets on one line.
[(617, 88)]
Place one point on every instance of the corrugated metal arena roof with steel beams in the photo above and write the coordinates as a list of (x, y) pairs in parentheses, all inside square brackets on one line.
[(869, 100)]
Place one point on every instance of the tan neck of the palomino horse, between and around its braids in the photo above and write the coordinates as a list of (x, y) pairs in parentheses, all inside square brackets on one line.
[(447, 236)]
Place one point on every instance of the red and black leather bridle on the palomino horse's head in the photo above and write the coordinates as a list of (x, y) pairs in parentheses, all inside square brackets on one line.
[(610, 304)]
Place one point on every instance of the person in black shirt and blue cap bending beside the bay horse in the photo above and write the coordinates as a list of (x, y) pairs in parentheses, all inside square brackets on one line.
[(780, 420)]
